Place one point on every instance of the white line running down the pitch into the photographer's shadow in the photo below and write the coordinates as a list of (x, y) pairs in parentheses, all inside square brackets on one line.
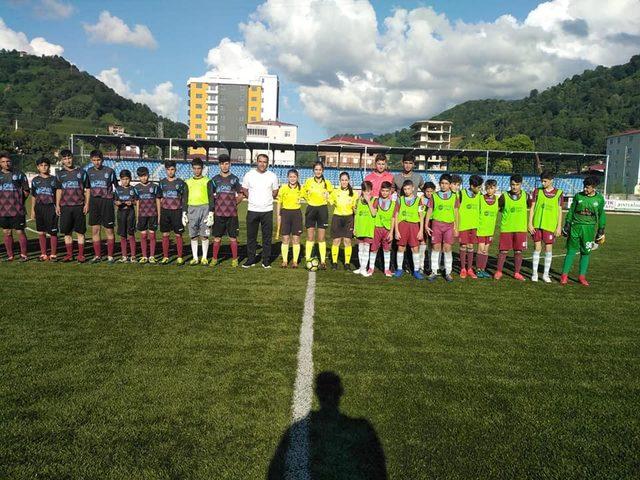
[(297, 456)]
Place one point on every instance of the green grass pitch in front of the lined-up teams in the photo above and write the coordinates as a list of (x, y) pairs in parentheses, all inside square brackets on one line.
[(144, 372)]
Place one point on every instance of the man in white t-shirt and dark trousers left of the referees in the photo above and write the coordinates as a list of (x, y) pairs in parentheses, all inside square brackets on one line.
[(260, 186)]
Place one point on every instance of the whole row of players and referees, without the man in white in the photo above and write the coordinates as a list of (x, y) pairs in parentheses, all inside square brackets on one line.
[(412, 218)]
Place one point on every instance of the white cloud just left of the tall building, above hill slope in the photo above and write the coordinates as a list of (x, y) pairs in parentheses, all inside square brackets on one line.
[(162, 100)]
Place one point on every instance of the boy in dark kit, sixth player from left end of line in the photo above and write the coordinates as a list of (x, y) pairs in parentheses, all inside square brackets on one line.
[(147, 195)]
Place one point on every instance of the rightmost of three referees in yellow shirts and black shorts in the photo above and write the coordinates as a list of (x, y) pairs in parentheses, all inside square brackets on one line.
[(344, 201)]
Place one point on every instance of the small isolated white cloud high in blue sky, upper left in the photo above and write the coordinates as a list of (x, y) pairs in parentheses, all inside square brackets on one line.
[(112, 29)]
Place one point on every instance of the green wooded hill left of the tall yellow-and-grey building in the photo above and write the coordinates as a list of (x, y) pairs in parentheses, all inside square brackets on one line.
[(50, 98)]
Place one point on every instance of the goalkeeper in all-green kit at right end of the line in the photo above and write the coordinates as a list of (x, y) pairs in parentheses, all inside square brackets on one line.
[(584, 228)]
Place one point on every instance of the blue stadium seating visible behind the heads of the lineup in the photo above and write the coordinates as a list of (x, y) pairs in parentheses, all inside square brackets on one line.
[(569, 184)]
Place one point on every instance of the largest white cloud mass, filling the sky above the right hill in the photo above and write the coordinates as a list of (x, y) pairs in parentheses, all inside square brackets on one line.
[(356, 73)]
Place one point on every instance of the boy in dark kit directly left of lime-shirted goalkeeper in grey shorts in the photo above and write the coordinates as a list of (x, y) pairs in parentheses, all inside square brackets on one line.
[(172, 192)]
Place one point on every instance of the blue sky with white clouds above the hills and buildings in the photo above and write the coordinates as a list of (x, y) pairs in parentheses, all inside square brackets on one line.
[(344, 65)]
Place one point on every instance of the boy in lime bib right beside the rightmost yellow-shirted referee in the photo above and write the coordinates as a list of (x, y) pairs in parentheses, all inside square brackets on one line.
[(364, 229)]
